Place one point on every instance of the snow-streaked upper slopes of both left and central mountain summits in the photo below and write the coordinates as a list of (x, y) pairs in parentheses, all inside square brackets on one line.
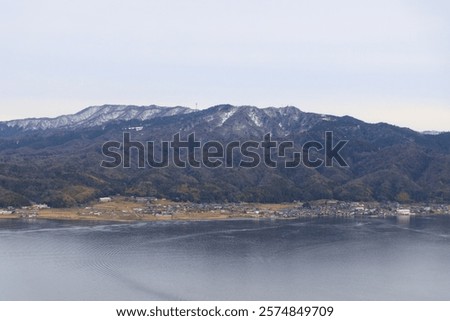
[(234, 119)]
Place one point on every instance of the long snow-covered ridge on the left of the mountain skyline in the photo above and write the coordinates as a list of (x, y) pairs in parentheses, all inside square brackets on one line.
[(97, 116)]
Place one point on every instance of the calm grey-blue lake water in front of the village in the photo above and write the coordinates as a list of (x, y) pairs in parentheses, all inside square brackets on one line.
[(305, 259)]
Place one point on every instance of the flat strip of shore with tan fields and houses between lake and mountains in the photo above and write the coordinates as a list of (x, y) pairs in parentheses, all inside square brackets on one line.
[(125, 209)]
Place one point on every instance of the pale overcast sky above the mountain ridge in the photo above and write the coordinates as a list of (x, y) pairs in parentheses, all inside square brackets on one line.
[(380, 60)]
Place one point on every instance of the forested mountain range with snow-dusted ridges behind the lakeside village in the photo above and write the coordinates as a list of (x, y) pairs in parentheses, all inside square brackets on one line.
[(57, 160)]
